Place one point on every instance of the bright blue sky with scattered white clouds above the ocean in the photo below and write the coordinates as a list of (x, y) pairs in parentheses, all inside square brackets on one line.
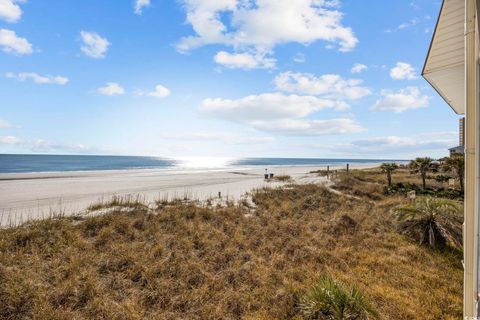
[(221, 78)]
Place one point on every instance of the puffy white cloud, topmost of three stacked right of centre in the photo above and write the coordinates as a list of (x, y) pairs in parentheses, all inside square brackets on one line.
[(330, 86)]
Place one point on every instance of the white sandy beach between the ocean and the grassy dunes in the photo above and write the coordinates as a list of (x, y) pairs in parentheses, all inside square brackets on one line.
[(38, 195)]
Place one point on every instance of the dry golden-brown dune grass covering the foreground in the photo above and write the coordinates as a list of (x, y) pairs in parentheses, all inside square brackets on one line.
[(183, 261)]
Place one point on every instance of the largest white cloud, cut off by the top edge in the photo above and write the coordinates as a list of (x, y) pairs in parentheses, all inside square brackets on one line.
[(260, 26)]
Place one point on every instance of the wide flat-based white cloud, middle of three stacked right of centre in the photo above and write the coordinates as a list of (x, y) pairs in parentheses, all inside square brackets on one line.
[(267, 106)]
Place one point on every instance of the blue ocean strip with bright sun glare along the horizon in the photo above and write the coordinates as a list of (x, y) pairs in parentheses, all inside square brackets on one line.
[(13, 163)]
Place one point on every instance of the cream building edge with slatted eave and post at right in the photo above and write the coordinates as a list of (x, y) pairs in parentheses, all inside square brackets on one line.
[(452, 68)]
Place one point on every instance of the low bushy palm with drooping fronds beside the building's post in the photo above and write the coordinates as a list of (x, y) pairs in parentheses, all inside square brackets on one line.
[(432, 221)]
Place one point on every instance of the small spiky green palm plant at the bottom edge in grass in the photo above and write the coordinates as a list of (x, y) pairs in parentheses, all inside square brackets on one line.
[(331, 299)]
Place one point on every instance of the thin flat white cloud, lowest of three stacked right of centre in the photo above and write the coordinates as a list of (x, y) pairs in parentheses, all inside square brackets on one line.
[(310, 127)]
